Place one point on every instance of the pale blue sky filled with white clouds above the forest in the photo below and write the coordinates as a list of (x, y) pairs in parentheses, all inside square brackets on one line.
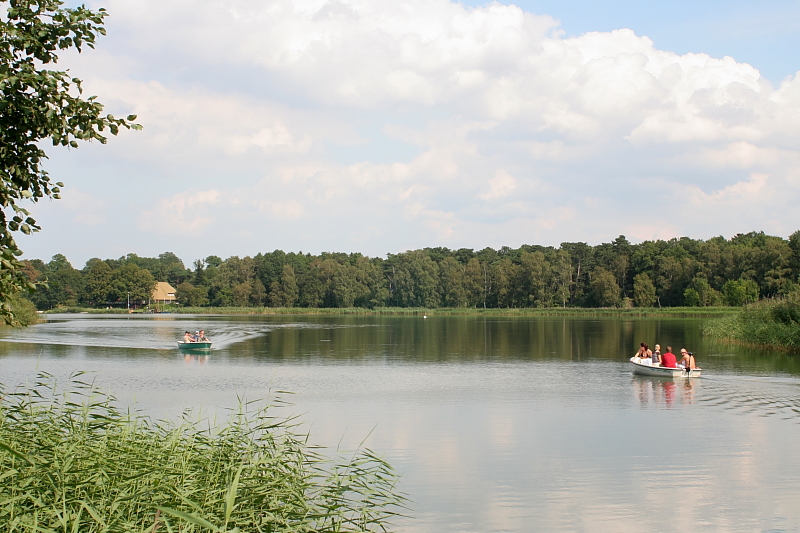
[(383, 126)]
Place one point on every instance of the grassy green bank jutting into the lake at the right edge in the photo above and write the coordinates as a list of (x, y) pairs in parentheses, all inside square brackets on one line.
[(768, 323)]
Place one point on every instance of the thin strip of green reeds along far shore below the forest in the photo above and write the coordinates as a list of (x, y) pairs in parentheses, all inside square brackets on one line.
[(677, 312)]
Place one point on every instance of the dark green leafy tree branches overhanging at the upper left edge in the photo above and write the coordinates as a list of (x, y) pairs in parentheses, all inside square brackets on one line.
[(37, 104)]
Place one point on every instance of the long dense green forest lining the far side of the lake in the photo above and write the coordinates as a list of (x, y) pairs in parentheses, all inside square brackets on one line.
[(677, 272)]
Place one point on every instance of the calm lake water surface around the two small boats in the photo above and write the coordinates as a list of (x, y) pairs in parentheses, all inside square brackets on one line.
[(495, 424)]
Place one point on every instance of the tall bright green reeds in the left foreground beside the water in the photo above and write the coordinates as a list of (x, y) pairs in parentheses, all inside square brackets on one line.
[(73, 462)]
